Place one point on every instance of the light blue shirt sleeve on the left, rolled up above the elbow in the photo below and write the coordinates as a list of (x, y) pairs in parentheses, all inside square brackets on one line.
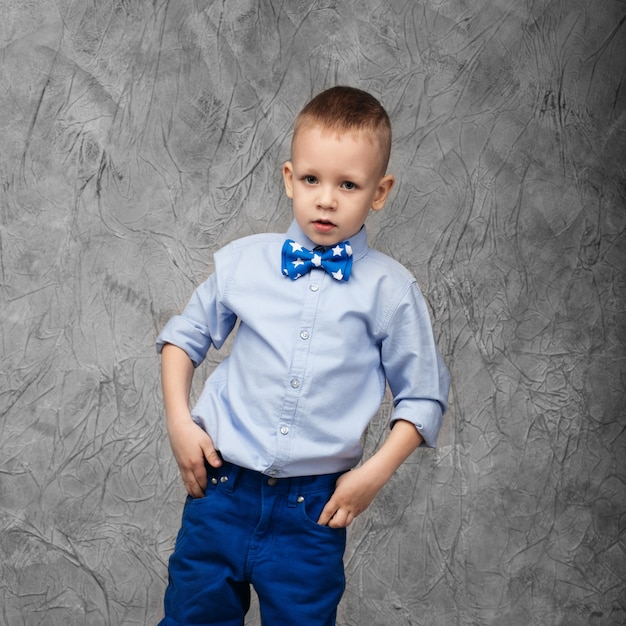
[(205, 322)]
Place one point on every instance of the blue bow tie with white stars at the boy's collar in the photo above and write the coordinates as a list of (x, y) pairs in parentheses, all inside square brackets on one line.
[(297, 260)]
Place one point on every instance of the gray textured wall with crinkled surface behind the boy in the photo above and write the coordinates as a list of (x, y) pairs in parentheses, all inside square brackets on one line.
[(137, 137)]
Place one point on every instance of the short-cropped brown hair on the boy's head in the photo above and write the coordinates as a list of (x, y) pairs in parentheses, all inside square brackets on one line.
[(348, 109)]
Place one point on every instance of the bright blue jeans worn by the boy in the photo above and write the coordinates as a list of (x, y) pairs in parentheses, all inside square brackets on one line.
[(251, 529)]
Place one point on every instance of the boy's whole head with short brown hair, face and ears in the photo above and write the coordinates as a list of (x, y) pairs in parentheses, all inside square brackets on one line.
[(339, 155)]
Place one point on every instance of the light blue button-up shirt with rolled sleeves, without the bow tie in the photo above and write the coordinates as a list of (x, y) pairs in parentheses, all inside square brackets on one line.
[(310, 359)]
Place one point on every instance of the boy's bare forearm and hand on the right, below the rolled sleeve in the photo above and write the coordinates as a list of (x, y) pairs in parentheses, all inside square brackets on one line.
[(356, 489)]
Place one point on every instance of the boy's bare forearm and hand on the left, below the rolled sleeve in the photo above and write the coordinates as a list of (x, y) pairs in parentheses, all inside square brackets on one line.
[(190, 444)]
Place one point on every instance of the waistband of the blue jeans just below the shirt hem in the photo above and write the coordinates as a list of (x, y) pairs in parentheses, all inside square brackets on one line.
[(231, 476)]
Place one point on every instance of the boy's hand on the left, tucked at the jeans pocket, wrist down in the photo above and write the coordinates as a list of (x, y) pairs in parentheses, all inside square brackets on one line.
[(191, 446)]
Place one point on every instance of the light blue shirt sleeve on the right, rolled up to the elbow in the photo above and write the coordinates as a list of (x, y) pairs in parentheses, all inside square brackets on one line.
[(417, 375)]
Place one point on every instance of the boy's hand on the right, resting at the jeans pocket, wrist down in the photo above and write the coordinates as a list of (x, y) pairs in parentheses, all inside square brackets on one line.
[(354, 492)]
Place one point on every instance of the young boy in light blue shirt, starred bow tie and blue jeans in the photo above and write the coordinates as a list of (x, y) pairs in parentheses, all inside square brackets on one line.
[(268, 453)]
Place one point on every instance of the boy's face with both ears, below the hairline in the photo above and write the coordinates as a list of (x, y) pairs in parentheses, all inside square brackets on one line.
[(334, 180)]
